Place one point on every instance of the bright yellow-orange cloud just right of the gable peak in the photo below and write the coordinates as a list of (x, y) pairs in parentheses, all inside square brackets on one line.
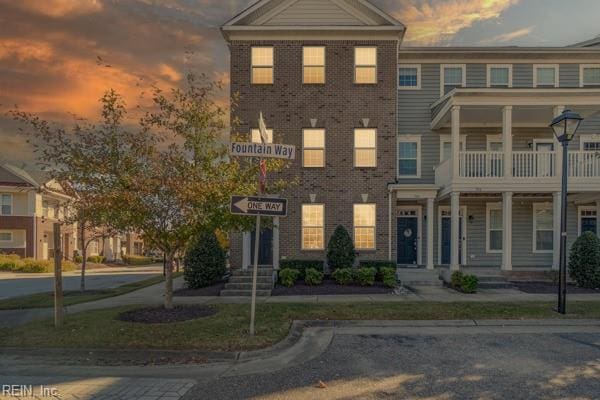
[(431, 21)]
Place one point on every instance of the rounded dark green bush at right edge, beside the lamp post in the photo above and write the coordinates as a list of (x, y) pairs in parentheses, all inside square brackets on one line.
[(584, 261)]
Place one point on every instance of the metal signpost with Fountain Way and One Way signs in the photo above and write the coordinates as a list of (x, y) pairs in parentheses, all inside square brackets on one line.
[(265, 206)]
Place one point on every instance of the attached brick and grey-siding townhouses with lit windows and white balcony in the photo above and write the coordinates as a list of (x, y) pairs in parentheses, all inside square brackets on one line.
[(428, 156)]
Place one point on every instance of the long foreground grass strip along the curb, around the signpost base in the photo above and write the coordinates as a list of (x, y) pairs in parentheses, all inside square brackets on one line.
[(227, 329)]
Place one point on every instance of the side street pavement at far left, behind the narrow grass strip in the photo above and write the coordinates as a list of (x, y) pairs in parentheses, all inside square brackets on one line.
[(12, 285)]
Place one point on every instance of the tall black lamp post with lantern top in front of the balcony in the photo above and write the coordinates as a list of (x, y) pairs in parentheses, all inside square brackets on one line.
[(564, 126)]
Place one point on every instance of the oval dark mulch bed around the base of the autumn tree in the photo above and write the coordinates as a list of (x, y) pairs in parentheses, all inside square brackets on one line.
[(160, 315)]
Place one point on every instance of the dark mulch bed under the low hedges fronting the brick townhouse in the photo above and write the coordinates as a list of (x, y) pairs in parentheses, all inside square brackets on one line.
[(329, 287)]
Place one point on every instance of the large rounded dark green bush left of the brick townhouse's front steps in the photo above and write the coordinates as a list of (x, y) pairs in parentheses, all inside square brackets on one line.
[(205, 261)]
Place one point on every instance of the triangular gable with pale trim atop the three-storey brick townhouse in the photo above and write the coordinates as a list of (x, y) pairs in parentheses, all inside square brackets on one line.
[(306, 15)]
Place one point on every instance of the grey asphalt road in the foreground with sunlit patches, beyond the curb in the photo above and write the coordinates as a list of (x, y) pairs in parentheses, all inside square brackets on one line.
[(440, 366)]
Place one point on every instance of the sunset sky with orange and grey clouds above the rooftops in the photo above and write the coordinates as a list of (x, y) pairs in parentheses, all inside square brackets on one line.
[(58, 56)]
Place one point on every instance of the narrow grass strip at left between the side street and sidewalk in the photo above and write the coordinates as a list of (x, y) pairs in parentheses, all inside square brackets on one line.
[(46, 299)]
